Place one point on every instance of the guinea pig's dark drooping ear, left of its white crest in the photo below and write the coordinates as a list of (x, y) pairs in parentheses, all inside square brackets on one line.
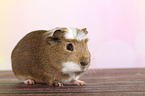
[(57, 36)]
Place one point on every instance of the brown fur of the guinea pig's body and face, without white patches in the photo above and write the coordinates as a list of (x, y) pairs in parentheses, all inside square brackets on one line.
[(39, 56)]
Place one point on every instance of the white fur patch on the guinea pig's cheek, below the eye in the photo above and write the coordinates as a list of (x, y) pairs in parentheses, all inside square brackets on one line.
[(70, 67)]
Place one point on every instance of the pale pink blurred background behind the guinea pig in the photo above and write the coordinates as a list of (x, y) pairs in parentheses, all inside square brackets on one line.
[(116, 27)]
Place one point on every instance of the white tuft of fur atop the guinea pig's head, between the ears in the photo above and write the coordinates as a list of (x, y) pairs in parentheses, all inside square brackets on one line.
[(73, 33)]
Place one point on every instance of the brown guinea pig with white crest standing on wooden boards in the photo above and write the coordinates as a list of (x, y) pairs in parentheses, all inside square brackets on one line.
[(54, 57)]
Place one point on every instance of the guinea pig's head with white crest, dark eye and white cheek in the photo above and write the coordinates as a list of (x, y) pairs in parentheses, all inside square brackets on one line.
[(69, 47)]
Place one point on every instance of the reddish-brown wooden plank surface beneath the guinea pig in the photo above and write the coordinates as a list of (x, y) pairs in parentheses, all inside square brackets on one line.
[(105, 82)]
